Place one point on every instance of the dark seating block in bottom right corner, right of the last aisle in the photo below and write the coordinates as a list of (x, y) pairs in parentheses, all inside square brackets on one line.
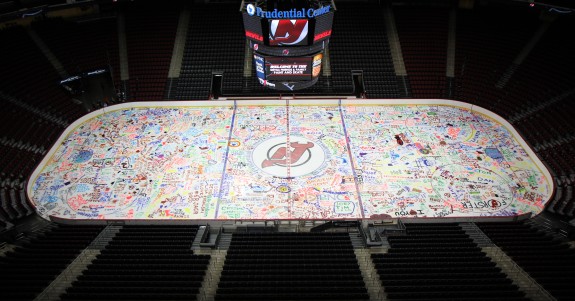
[(548, 260)]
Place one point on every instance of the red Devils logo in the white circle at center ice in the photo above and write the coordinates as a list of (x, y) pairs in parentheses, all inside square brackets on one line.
[(280, 156)]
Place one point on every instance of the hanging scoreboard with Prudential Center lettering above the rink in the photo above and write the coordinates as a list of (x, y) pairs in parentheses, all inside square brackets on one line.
[(288, 41)]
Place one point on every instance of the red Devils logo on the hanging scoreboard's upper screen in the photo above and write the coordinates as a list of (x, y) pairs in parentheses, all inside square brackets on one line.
[(288, 32)]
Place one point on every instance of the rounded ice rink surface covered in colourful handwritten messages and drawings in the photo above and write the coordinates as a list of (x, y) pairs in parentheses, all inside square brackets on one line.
[(347, 159)]
